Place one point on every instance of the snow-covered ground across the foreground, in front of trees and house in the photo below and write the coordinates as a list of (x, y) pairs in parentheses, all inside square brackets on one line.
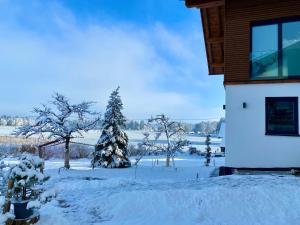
[(166, 196)]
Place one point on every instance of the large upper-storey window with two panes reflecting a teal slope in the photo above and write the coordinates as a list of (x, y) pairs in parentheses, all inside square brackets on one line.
[(275, 50)]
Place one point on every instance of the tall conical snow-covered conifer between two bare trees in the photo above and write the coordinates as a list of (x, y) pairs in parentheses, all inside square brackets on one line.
[(111, 149)]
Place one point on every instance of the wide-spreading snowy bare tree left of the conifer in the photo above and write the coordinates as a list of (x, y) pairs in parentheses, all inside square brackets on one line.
[(63, 123)]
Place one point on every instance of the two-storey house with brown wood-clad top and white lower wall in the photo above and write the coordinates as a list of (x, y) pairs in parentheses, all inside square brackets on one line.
[(255, 44)]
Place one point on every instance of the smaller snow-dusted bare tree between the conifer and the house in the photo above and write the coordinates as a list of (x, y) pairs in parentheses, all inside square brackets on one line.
[(171, 130)]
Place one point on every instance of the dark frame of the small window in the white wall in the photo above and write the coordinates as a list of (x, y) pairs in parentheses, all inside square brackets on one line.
[(296, 116)]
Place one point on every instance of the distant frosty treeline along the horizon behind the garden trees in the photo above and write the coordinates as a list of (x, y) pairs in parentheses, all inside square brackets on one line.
[(204, 127)]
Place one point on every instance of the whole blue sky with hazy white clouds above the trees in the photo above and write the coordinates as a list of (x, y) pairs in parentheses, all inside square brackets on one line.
[(84, 49)]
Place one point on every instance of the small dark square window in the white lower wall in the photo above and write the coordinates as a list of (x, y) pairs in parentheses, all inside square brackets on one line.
[(282, 116)]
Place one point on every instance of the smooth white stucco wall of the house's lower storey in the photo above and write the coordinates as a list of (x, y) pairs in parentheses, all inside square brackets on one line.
[(246, 142)]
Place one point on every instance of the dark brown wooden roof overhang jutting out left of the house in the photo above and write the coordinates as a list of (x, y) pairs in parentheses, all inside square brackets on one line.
[(213, 23)]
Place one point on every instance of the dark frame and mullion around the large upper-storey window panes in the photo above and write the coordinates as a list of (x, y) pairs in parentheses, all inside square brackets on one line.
[(279, 22)]
